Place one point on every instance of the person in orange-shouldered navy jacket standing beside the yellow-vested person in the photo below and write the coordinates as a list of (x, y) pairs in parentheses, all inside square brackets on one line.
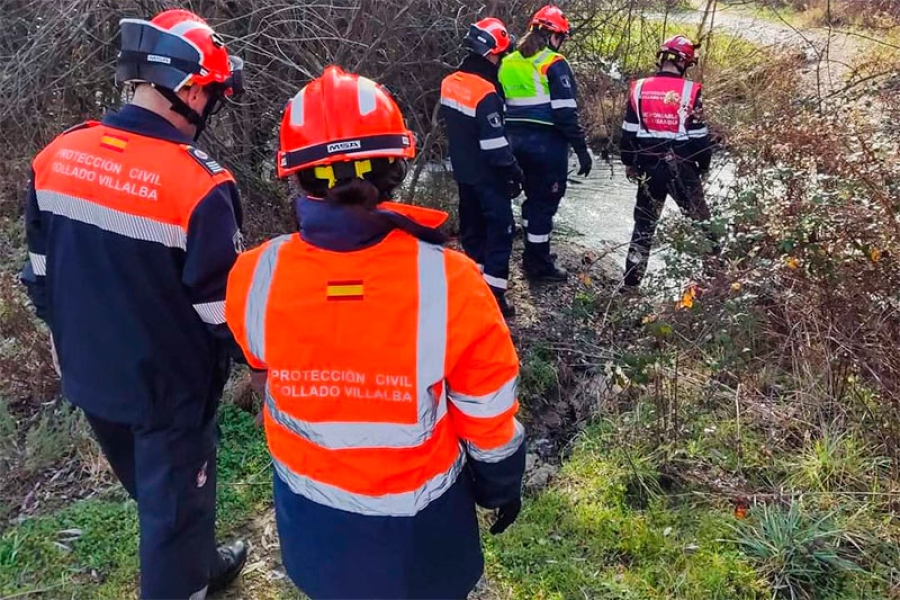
[(483, 163)]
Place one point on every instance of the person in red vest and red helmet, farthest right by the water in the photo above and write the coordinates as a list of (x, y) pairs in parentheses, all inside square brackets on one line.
[(666, 147)]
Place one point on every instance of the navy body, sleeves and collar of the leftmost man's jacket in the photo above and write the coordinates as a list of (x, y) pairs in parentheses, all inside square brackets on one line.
[(138, 325)]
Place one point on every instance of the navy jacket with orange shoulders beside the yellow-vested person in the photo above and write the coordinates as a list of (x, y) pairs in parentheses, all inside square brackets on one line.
[(479, 149)]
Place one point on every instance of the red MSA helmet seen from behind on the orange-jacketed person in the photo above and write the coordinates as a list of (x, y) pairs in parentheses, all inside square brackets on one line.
[(341, 117)]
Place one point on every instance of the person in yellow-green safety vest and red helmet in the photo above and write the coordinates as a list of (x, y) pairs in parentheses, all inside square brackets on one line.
[(542, 121)]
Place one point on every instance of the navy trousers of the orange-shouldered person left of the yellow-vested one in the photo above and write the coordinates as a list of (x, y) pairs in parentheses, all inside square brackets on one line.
[(485, 230)]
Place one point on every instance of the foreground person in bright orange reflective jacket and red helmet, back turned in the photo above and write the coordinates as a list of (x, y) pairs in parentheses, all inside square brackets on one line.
[(391, 375)]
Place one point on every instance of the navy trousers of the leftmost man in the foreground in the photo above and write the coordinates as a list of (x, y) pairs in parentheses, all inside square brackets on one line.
[(171, 474)]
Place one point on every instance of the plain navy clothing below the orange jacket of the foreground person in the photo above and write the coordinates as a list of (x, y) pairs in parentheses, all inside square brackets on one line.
[(330, 553)]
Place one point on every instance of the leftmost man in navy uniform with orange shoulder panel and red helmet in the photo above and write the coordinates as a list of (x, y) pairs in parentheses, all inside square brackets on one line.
[(131, 234)]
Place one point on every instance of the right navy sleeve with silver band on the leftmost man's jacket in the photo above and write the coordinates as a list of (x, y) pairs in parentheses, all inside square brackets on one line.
[(213, 243)]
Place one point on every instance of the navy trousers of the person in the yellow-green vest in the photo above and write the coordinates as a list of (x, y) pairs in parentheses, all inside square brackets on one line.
[(543, 154)]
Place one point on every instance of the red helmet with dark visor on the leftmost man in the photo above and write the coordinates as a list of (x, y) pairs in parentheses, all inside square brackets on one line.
[(174, 50)]
